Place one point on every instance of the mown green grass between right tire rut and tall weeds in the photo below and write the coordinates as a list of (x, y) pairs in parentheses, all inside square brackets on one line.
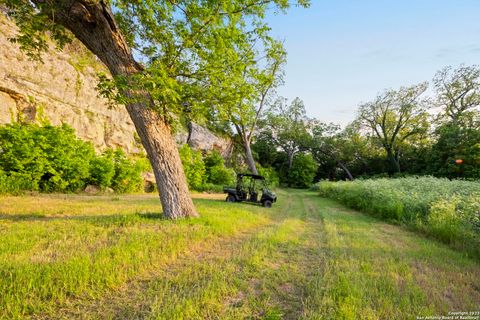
[(376, 270)]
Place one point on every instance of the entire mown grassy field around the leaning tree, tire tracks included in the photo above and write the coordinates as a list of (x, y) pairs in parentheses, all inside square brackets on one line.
[(307, 257)]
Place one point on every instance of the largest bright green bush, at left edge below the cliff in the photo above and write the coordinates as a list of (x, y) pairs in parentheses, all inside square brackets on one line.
[(51, 157)]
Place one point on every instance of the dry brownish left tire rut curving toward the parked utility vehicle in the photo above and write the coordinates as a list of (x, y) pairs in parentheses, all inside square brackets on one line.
[(135, 299)]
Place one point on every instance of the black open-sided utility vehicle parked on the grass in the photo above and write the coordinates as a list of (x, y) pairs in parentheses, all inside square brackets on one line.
[(247, 189)]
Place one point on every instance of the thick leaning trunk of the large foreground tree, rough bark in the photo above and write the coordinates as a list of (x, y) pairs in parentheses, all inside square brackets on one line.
[(93, 24)]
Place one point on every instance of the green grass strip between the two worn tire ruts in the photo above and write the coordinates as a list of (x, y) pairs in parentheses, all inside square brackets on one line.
[(235, 283)]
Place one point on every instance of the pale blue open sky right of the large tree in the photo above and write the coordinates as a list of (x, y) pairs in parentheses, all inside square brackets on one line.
[(343, 52)]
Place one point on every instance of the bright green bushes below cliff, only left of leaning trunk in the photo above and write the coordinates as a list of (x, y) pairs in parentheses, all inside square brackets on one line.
[(53, 159)]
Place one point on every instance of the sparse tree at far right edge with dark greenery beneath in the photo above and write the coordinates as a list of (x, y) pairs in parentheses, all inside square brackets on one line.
[(457, 133)]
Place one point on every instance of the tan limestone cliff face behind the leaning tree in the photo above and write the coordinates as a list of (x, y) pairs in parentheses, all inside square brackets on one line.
[(62, 89)]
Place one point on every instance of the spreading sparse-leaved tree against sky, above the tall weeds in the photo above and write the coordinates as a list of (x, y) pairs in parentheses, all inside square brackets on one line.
[(395, 119)]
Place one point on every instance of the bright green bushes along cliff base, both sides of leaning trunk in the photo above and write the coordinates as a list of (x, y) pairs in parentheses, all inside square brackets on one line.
[(53, 159)]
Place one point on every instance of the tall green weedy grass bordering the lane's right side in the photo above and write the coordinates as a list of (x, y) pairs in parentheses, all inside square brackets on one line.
[(447, 210)]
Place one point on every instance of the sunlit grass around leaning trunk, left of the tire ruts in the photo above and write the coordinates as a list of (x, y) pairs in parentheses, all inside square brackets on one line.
[(84, 246)]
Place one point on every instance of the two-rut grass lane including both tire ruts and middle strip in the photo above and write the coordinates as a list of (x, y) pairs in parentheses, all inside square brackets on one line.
[(260, 274)]
